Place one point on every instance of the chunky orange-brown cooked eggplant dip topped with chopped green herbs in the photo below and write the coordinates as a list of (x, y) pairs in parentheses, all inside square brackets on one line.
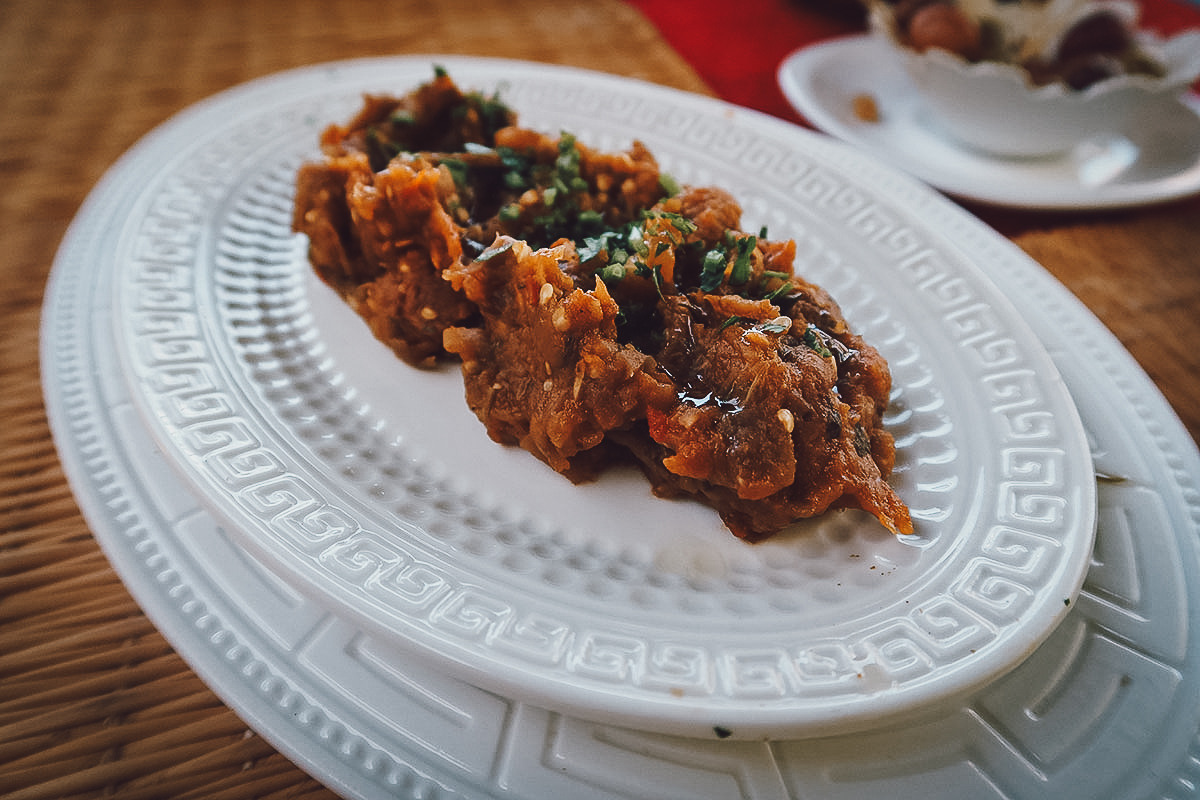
[(601, 314)]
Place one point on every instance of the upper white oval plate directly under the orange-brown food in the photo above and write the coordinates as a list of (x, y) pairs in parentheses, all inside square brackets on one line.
[(373, 488)]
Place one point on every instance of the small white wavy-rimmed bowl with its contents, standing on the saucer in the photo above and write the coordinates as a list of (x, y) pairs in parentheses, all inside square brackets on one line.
[(1025, 79)]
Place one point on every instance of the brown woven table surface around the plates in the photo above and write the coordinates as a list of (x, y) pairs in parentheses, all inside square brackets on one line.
[(93, 701)]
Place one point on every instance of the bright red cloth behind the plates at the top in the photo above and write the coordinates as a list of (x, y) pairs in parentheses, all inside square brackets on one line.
[(737, 46)]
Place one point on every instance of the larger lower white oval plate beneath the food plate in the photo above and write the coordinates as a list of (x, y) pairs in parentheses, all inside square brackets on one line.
[(1109, 707)]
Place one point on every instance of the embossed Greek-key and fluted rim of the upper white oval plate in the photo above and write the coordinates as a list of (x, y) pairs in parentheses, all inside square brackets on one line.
[(207, 294)]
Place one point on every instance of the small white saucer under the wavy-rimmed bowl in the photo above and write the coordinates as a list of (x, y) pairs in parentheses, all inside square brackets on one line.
[(1157, 163)]
